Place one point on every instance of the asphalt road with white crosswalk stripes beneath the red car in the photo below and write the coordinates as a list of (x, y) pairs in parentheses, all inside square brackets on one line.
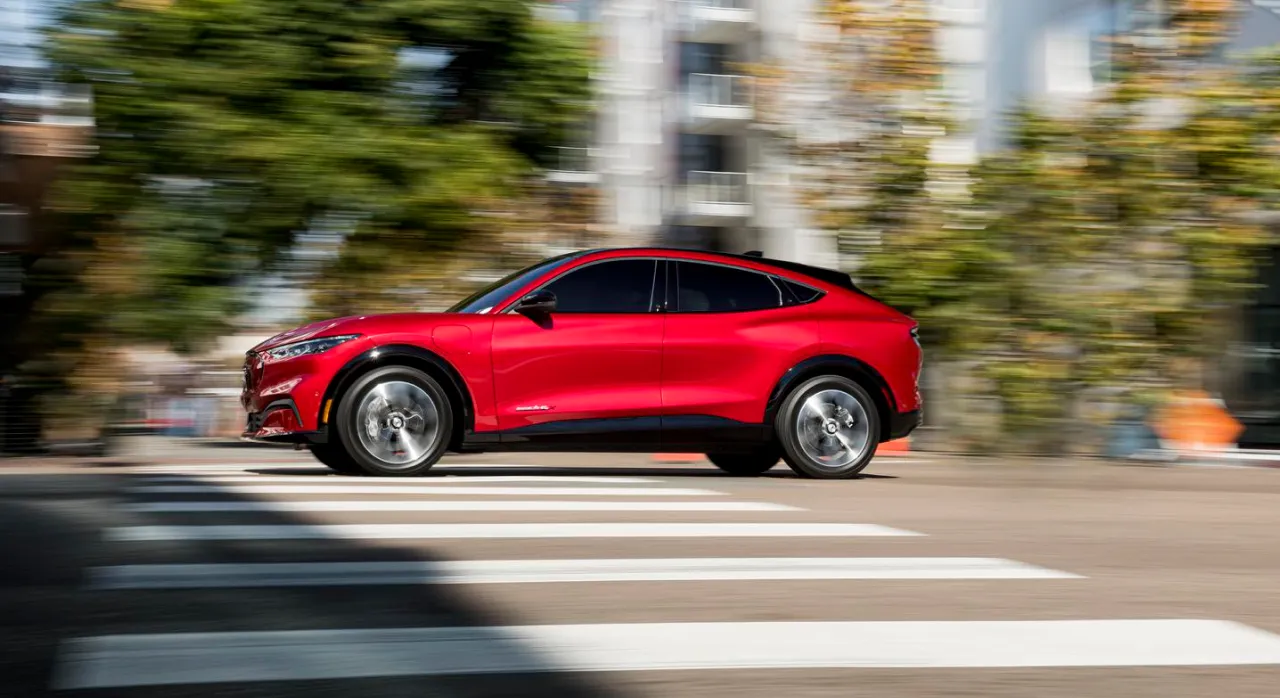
[(263, 576)]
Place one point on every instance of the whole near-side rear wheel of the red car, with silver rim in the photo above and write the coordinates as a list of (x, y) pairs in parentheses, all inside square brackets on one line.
[(801, 444)]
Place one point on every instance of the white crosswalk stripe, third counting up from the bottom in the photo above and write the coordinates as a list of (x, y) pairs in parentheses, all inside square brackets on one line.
[(496, 531)]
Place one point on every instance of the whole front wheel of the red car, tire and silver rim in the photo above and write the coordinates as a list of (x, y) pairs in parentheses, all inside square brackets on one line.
[(385, 449)]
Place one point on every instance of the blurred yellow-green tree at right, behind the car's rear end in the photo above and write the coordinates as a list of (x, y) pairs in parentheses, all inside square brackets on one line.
[(1092, 259)]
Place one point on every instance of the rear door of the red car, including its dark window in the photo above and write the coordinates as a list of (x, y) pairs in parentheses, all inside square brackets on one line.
[(732, 334)]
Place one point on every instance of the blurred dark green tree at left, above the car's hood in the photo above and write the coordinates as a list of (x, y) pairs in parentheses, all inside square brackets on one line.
[(226, 130)]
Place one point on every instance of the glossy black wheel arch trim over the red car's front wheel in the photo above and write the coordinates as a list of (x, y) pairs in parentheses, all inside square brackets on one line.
[(413, 357)]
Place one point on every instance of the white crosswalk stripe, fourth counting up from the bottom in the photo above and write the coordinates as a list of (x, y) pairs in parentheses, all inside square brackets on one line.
[(445, 505)]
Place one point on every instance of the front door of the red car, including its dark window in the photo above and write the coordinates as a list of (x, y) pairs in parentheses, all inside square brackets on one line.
[(589, 371)]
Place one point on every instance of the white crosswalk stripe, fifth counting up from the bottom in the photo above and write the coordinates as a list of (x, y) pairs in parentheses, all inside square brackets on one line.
[(423, 490)]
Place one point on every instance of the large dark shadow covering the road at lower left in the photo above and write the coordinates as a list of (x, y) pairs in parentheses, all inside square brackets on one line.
[(51, 596)]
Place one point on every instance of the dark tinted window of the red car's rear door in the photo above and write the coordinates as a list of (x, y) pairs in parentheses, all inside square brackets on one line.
[(716, 289)]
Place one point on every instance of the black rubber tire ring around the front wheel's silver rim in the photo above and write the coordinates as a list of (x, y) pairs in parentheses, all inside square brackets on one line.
[(346, 423)]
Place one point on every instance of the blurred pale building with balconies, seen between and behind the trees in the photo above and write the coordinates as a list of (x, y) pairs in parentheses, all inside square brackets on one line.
[(673, 147)]
